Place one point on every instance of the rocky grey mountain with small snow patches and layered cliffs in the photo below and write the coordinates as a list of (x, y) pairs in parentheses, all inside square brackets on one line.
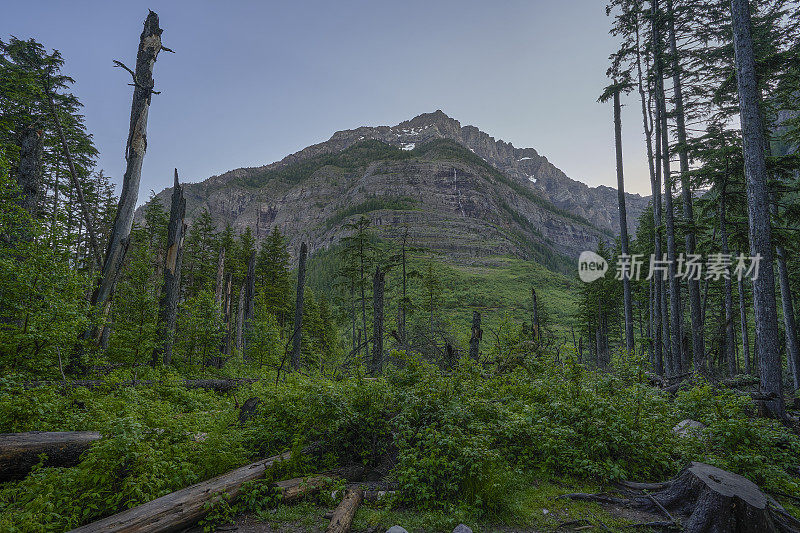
[(458, 191)]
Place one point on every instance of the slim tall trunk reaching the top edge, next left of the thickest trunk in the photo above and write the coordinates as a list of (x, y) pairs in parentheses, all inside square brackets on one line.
[(698, 342)]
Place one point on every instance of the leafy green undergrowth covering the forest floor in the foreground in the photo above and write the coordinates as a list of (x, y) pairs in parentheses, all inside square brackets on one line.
[(484, 449)]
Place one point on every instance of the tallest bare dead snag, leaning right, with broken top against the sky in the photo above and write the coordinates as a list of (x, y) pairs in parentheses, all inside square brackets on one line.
[(149, 47)]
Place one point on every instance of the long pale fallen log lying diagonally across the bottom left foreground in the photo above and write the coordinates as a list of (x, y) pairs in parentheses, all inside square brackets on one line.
[(183, 508)]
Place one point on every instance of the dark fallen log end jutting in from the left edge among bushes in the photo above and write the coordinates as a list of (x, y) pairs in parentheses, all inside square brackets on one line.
[(19, 452)]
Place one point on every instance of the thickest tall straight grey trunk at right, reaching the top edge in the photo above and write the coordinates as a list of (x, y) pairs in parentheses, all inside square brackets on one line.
[(753, 146)]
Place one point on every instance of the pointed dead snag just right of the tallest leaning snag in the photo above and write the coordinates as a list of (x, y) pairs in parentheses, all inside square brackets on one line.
[(170, 291)]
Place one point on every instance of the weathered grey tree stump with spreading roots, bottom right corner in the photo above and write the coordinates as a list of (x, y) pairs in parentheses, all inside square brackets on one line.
[(709, 499)]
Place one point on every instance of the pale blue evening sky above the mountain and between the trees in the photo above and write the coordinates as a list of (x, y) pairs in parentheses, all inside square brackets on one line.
[(254, 81)]
